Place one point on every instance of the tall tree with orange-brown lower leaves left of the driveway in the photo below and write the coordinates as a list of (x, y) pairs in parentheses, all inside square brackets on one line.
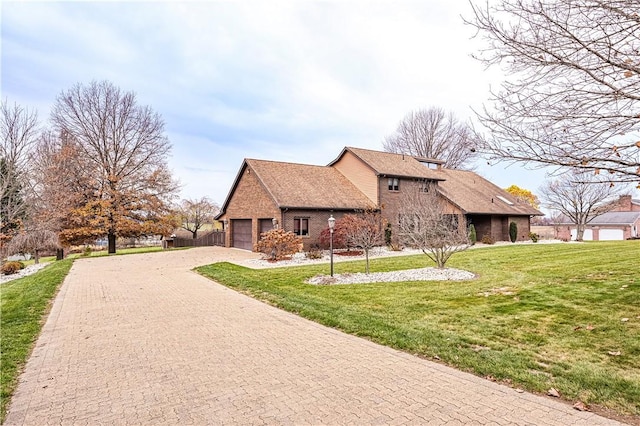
[(125, 152)]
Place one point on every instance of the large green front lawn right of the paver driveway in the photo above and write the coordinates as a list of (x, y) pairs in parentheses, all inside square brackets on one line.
[(538, 316)]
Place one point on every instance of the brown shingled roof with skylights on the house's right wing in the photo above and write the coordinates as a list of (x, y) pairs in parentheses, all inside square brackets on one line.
[(476, 195)]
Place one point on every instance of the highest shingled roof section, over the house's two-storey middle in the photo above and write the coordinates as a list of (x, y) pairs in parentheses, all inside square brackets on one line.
[(390, 164)]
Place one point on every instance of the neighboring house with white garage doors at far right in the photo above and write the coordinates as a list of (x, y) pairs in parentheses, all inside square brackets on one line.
[(620, 223)]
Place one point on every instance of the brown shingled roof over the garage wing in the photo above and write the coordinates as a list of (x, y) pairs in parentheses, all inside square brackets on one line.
[(306, 186)]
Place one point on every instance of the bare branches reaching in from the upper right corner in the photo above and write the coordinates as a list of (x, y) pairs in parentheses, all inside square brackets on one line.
[(572, 93)]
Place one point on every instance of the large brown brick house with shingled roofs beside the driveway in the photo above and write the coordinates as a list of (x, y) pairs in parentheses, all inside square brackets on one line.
[(300, 197)]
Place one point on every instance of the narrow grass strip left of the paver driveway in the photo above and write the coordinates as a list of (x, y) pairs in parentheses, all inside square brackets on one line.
[(23, 304)]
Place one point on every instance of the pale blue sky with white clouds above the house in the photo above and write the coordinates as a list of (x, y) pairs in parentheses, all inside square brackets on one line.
[(277, 80)]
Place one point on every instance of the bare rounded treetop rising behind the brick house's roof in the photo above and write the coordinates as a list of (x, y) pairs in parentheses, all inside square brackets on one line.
[(433, 133)]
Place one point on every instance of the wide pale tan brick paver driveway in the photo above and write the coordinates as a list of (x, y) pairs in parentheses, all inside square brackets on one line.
[(143, 340)]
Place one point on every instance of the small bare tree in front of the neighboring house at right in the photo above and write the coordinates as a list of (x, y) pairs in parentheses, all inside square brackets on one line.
[(580, 197)]
